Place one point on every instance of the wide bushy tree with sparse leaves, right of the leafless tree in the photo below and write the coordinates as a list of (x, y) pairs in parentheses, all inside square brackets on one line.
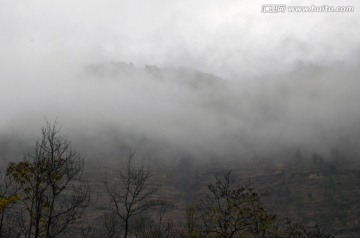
[(228, 210)]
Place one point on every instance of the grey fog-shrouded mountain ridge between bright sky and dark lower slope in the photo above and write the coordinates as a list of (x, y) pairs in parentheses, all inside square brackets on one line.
[(166, 112)]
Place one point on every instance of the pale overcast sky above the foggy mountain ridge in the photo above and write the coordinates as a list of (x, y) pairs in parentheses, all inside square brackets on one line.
[(228, 37)]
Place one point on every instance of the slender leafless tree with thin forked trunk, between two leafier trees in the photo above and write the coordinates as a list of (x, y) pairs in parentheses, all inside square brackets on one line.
[(132, 193)]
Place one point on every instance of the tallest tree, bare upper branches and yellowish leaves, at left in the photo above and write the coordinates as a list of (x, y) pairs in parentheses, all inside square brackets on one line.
[(53, 192)]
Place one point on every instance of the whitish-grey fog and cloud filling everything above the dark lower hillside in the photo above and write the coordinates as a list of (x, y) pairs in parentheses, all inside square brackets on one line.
[(211, 79)]
